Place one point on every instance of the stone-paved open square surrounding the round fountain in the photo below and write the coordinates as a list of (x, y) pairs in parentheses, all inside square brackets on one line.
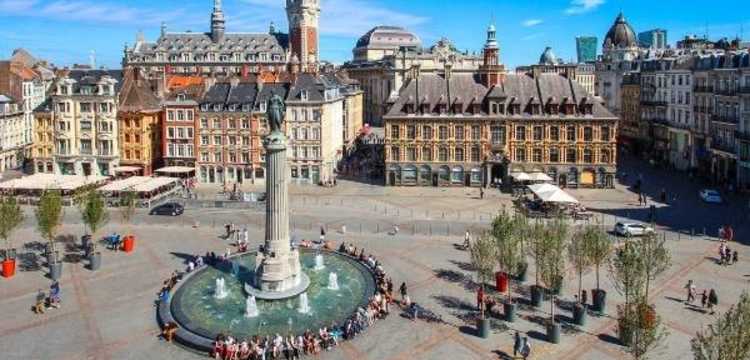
[(110, 314)]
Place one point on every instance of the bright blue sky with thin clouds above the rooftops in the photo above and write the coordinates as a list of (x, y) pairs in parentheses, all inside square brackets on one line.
[(66, 31)]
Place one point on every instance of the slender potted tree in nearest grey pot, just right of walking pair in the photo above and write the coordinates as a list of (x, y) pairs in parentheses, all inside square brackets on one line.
[(552, 269)]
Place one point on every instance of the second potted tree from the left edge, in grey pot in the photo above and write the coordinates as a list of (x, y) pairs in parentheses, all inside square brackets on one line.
[(49, 213)]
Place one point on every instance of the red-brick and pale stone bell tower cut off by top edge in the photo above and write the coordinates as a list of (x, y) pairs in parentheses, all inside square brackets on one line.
[(304, 16)]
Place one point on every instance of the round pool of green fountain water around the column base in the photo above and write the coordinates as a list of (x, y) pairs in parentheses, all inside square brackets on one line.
[(201, 317)]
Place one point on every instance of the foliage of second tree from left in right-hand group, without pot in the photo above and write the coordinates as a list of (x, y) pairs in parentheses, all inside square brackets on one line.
[(507, 232)]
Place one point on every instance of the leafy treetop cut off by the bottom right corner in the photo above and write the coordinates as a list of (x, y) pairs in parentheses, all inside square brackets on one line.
[(728, 338)]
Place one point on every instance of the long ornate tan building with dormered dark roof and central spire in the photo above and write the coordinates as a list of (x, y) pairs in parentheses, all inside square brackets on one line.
[(453, 129)]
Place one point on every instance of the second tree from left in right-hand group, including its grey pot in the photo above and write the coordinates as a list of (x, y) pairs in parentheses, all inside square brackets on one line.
[(505, 231)]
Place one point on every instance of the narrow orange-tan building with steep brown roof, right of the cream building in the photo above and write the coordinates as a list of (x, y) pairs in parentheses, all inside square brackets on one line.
[(139, 116)]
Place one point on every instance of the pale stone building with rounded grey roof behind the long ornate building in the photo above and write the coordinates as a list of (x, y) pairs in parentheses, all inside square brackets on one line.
[(383, 61)]
